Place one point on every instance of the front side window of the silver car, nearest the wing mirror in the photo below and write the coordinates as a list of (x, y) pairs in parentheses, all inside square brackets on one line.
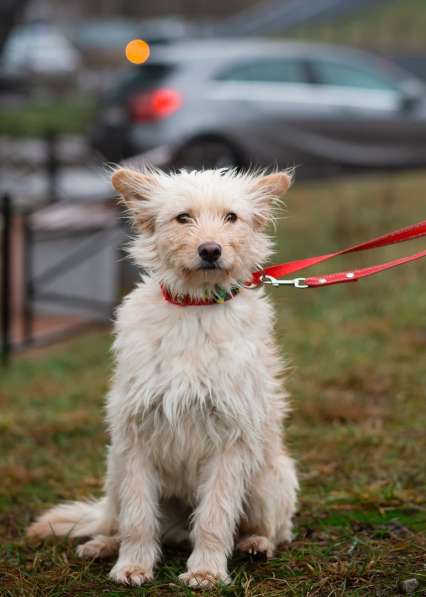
[(338, 74)]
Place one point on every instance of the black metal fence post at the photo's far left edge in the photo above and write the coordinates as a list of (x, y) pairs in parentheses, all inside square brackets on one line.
[(6, 283)]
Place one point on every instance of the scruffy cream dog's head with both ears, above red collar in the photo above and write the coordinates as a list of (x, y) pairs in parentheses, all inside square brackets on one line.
[(197, 230)]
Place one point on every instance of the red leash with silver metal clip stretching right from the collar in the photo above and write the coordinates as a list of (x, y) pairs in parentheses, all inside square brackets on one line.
[(269, 275)]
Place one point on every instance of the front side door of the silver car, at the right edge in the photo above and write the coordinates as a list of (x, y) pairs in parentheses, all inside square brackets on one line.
[(359, 120)]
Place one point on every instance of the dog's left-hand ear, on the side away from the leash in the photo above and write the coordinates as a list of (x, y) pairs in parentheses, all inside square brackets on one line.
[(135, 188)]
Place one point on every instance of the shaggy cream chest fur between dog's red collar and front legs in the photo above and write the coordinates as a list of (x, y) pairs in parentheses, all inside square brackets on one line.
[(208, 365)]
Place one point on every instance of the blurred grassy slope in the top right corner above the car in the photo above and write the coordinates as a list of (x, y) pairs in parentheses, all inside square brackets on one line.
[(391, 25)]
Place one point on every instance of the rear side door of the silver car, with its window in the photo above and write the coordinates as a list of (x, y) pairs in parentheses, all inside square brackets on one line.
[(266, 103)]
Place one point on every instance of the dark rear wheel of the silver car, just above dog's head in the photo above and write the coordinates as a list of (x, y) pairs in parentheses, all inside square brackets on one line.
[(207, 153)]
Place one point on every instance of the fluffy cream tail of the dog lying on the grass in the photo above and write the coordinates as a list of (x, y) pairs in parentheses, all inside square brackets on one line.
[(73, 519)]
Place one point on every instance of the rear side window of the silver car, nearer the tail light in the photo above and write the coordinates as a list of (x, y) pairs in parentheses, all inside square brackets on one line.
[(266, 71)]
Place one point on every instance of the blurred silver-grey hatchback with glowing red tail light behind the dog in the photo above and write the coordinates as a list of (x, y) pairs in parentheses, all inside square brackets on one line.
[(222, 103)]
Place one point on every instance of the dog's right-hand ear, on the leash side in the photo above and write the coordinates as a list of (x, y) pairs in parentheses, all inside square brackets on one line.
[(268, 190)]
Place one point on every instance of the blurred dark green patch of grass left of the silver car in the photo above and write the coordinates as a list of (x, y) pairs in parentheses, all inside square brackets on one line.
[(64, 116)]
